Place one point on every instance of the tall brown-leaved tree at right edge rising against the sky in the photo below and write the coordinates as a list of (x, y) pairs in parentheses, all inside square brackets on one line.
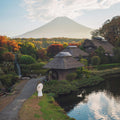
[(110, 30)]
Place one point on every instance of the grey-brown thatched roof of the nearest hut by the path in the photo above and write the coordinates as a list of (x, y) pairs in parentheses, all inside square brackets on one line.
[(63, 60)]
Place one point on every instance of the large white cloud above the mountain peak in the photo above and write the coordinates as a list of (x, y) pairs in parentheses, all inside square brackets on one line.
[(44, 10)]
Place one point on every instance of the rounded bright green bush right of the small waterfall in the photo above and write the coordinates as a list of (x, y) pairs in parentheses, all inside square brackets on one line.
[(26, 59)]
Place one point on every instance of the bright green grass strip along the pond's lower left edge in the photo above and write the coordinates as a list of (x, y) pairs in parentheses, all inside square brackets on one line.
[(50, 110)]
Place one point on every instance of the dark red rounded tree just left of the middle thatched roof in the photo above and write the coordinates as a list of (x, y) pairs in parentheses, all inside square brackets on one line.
[(53, 49)]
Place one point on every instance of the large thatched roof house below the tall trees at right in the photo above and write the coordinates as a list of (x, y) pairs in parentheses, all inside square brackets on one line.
[(91, 45)]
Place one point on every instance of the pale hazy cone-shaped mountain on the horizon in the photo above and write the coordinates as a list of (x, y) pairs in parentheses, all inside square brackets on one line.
[(59, 27)]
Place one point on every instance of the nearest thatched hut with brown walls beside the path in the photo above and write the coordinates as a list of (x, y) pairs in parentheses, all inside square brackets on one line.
[(62, 64)]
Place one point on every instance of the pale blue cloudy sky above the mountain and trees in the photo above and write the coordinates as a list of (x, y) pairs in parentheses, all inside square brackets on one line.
[(20, 16)]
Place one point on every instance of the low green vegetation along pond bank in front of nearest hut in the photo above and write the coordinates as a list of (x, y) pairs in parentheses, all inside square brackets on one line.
[(65, 87)]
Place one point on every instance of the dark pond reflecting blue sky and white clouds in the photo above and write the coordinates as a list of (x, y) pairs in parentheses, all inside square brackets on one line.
[(101, 102)]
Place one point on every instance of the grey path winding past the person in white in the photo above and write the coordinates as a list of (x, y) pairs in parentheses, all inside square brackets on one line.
[(10, 112)]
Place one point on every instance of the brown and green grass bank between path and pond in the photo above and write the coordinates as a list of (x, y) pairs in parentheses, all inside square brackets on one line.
[(44, 108)]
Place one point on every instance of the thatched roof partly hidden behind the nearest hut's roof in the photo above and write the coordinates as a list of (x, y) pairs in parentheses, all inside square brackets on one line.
[(75, 52)]
